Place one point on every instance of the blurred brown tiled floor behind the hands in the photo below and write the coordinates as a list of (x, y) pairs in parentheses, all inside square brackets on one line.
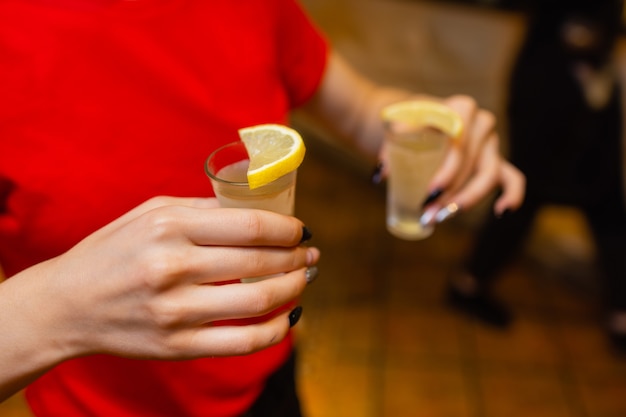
[(377, 341)]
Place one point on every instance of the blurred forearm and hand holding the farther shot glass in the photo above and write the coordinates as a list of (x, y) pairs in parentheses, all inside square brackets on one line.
[(349, 105)]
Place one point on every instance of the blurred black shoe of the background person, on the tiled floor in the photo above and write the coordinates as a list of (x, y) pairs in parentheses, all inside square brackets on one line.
[(481, 307)]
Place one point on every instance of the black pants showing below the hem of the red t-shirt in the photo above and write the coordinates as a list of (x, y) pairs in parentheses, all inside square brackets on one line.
[(279, 398)]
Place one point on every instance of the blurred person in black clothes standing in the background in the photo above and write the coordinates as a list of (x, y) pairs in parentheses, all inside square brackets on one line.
[(565, 130)]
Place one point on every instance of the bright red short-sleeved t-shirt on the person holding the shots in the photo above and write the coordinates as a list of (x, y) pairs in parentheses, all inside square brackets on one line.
[(106, 103)]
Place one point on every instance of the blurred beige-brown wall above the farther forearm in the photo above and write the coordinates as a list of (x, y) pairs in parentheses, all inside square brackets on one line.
[(430, 47)]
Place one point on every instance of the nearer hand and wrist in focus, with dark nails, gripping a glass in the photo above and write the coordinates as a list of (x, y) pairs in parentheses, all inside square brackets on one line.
[(144, 287)]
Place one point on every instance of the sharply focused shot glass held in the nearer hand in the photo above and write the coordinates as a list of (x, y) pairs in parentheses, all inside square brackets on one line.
[(227, 169)]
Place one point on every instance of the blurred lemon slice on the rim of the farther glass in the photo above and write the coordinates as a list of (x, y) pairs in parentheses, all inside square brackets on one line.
[(421, 113)]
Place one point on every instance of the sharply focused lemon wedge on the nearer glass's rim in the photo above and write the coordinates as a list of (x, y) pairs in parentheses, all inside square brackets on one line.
[(274, 150)]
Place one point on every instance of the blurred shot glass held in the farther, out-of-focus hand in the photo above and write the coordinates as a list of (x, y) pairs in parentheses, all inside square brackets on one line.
[(414, 155)]
